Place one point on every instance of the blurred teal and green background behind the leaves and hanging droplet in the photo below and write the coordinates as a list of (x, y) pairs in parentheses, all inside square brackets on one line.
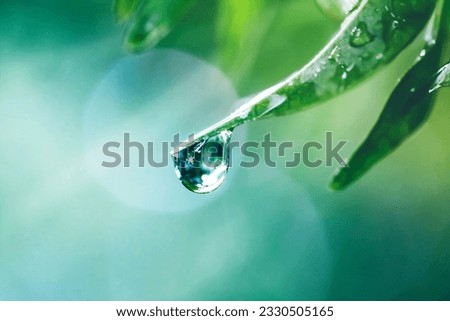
[(268, 234)]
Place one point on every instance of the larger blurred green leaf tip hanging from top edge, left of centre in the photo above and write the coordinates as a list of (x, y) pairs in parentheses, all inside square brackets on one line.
[(153, 20)]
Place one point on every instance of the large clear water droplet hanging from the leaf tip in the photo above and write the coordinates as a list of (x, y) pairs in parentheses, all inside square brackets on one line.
[(203, 166)]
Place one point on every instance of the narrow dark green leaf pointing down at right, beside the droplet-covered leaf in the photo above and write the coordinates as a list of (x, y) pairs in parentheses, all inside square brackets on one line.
[(406, 110)]
